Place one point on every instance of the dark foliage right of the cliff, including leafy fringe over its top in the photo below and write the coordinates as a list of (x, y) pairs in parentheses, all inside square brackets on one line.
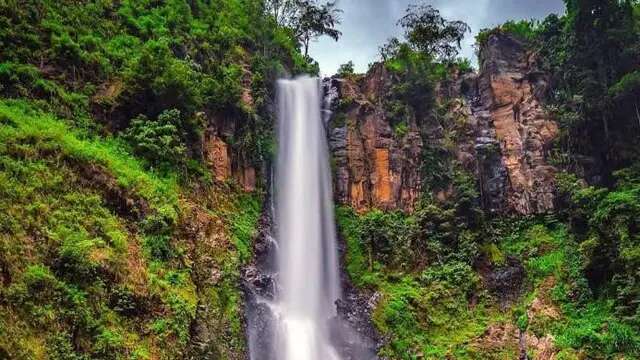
[(592, 53)]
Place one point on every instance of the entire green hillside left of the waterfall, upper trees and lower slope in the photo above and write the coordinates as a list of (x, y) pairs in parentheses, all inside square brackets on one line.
[(115, 243)]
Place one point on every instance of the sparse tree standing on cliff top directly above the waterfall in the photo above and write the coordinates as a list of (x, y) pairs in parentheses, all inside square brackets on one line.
[(307, 19)]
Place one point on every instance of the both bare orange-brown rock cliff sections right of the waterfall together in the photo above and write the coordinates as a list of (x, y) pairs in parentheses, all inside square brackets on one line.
[(502, 136)]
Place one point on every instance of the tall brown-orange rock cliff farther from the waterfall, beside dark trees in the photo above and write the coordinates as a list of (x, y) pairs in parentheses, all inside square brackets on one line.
[(508, 107)]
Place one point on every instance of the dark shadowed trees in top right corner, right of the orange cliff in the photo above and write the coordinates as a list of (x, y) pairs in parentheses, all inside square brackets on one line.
[(599, 46)]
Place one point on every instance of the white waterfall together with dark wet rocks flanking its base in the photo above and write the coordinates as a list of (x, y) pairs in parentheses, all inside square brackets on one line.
[(294, 284)]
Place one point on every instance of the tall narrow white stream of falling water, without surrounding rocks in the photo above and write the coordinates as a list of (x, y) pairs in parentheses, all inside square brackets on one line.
[(307, 256)]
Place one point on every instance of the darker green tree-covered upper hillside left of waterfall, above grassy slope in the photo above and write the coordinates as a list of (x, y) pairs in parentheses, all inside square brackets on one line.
[(134, 58)]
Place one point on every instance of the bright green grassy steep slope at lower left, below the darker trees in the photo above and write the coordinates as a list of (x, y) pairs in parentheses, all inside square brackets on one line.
[(101, 258)]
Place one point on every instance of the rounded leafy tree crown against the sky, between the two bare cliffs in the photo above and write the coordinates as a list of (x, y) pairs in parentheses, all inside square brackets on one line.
[(427, 31)]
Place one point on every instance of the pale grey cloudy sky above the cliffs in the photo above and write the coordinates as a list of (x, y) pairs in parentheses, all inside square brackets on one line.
[(367, 24)]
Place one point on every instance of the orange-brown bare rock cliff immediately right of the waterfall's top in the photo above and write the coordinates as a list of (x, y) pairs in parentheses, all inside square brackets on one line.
[(375, 166)]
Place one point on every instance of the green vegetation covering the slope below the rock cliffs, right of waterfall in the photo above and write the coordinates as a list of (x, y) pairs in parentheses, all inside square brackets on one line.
[(438, 306)]
